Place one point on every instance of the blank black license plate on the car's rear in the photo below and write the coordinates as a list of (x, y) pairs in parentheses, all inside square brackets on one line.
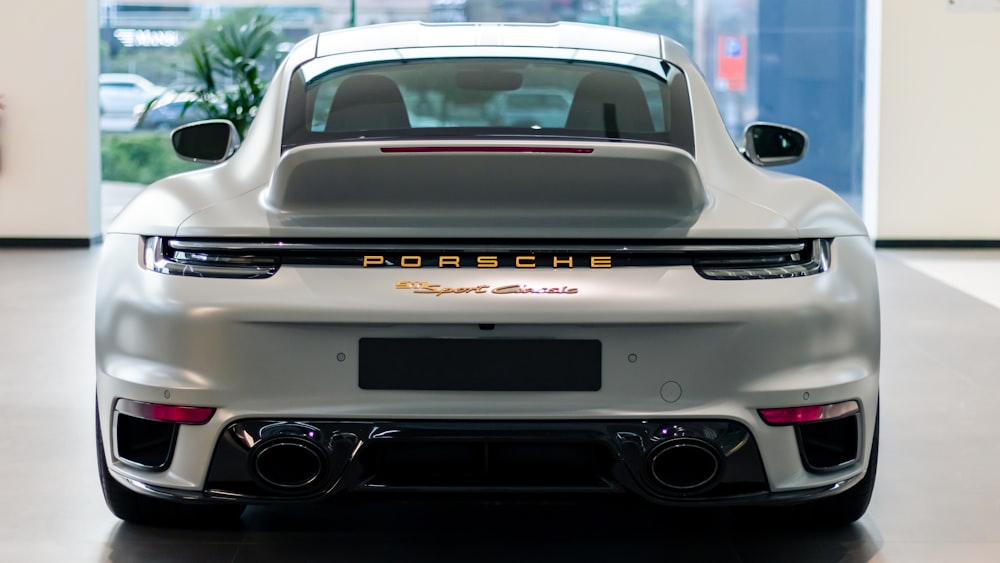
[(470, 364)]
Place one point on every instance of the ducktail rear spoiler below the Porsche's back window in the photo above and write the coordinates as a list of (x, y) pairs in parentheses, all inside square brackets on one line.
[(499, 184)]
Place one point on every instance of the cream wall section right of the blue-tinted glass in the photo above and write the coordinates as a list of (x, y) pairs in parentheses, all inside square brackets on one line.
[(936, 157)]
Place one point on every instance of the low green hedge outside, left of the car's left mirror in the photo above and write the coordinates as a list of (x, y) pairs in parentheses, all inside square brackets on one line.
[(140, 158)]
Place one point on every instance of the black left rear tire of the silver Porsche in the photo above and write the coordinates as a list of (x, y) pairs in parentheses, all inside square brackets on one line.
[(137, 508)]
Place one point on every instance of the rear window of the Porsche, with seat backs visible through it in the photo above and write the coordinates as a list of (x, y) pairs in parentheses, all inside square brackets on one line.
[(489, 97)]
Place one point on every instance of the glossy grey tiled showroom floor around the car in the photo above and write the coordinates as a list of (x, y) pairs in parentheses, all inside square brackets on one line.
[(937, 498)]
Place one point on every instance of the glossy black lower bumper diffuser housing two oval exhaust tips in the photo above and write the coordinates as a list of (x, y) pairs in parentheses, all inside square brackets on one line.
[(496, 459)]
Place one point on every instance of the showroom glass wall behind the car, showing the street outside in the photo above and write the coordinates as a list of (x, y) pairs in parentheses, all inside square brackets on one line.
[(788, 61)]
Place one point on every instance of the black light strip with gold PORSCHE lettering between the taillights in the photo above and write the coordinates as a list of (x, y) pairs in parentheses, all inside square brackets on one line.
[(767, 259)]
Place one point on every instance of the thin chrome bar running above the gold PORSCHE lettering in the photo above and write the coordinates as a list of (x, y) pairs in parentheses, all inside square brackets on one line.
[(297, 247)]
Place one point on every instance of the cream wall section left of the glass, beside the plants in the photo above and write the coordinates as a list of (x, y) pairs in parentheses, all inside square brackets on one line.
[(49, 141)]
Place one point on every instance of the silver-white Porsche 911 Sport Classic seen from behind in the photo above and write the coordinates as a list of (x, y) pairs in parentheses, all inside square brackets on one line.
[(392, 286)]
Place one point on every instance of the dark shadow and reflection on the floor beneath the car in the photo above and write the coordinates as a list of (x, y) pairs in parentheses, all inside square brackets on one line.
[(382, 530)]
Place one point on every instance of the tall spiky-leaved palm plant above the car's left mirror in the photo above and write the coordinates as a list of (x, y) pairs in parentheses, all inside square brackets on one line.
[(228, 58)]
